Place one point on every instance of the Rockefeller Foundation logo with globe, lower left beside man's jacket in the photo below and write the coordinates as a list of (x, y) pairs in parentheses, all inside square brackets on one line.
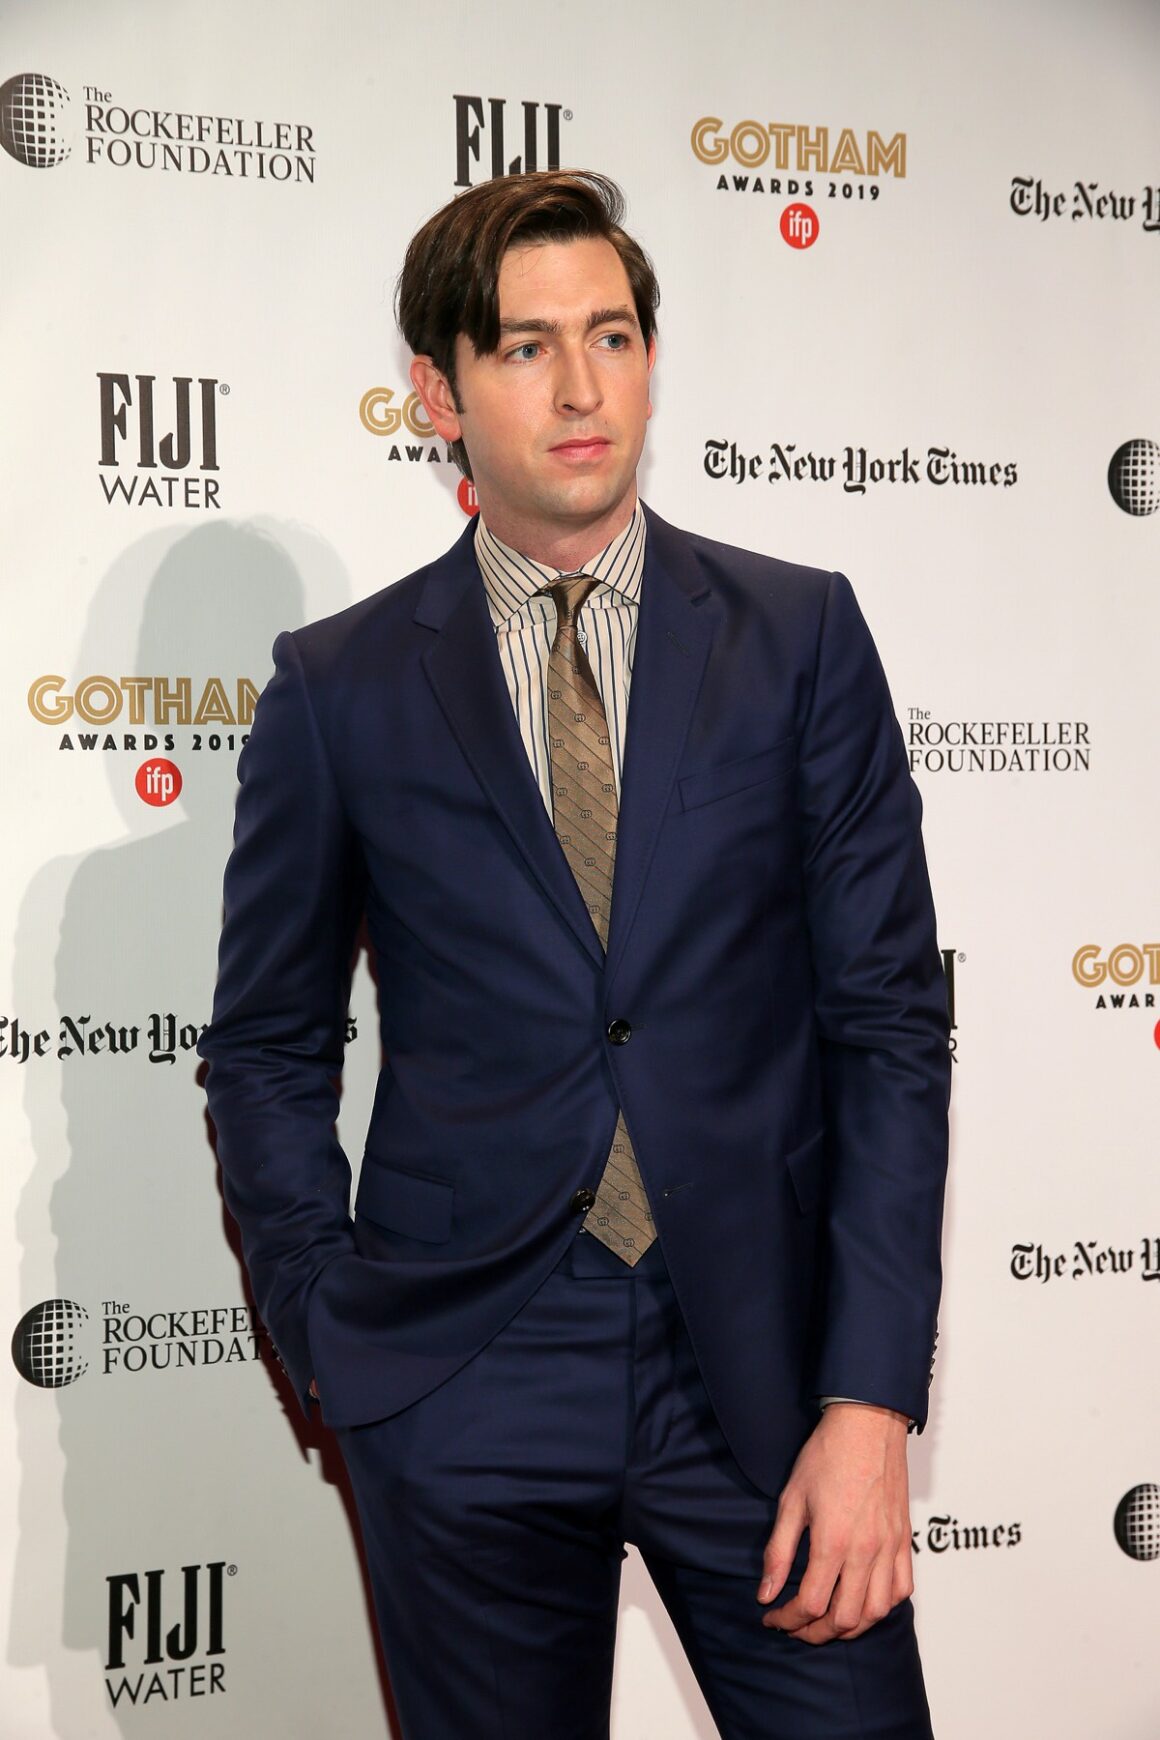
[(53, 1342)]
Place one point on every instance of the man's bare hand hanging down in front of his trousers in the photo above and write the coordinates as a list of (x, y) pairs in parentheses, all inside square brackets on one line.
[(850, 1489)]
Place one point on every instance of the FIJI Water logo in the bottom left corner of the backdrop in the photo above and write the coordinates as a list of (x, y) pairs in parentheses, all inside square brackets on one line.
[(166, 1642)]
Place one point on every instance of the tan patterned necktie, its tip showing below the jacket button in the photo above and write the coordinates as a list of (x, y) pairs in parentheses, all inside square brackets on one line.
[(585, 810)]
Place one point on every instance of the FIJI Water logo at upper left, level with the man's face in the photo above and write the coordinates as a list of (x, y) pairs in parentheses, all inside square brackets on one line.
[(175, 425)]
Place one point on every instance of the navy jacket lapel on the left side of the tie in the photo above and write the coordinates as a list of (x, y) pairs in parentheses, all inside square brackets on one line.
[(467, 676)]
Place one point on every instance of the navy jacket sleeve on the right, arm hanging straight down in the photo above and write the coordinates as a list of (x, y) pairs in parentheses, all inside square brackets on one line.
[(881, 1008)]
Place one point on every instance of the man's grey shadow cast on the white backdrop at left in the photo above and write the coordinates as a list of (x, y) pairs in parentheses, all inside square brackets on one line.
[(121, 1471)]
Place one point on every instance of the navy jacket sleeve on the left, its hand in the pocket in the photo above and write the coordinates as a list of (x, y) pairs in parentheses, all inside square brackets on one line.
[(293, 900)]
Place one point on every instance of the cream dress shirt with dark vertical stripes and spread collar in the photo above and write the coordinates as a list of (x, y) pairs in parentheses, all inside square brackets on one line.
[(526, 626)]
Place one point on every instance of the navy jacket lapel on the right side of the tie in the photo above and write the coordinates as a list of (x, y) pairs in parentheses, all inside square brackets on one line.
[(674, 639)]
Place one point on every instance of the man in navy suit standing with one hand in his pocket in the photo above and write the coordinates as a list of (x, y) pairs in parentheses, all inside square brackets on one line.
[(646, 1241)]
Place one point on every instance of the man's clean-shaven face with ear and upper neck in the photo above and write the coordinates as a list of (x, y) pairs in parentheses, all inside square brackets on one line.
[(556, 420)]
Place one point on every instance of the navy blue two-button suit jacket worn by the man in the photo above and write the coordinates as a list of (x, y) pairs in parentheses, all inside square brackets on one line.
[(771, 946)]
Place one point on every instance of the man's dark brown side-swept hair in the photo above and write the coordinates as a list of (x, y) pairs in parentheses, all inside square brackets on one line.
[(451, 274)]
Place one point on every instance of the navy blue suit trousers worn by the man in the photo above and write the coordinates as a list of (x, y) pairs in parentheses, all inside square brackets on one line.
[(497, 1511)]
